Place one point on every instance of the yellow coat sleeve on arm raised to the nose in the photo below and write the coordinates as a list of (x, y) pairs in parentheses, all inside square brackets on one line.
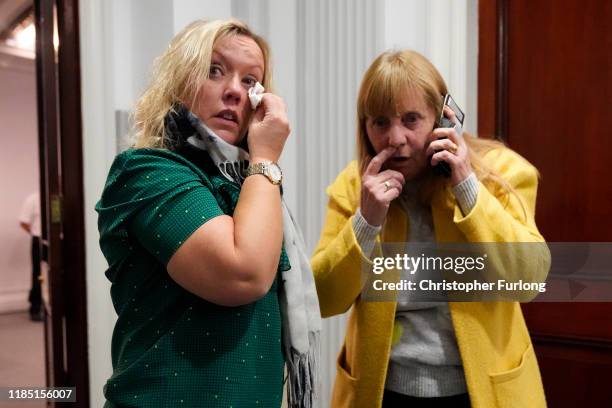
[(338, 258)]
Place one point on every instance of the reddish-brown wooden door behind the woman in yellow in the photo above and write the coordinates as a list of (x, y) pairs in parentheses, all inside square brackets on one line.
[(545, 83)]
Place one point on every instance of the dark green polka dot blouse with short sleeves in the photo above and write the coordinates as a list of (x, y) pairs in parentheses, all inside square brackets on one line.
[(169, 347)]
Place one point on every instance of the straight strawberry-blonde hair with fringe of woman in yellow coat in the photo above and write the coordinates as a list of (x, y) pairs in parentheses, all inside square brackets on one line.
[(386, 82)]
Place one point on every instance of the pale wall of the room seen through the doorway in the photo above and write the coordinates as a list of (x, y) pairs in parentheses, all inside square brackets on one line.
[(19, 170)]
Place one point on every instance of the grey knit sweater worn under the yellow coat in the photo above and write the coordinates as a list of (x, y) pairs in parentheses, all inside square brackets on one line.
[(425, 362)]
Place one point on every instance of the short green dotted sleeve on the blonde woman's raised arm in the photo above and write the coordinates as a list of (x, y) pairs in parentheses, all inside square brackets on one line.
[(163, 199)]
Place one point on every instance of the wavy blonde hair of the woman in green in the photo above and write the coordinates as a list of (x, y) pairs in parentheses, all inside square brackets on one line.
[(179, 72)]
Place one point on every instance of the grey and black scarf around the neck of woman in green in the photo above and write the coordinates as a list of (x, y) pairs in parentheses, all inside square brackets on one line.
[(299, 303)]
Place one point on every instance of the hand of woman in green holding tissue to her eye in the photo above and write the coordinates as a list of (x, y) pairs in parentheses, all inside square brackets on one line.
[(269, 129)]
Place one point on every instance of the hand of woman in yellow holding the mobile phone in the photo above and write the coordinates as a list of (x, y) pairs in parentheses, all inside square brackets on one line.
[(451, 148)]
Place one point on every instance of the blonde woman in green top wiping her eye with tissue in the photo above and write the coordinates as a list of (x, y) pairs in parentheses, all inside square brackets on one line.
[(192, 223)]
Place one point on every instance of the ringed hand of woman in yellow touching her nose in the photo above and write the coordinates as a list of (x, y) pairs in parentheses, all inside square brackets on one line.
[(378, 188)]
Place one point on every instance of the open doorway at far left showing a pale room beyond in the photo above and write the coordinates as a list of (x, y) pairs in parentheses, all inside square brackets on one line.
[(22, 347)]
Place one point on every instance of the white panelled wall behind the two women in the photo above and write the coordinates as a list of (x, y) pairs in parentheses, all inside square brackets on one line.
[(319, 49)]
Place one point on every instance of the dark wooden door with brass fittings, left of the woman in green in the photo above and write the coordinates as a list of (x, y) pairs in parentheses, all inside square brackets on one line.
[(63, 237)]
